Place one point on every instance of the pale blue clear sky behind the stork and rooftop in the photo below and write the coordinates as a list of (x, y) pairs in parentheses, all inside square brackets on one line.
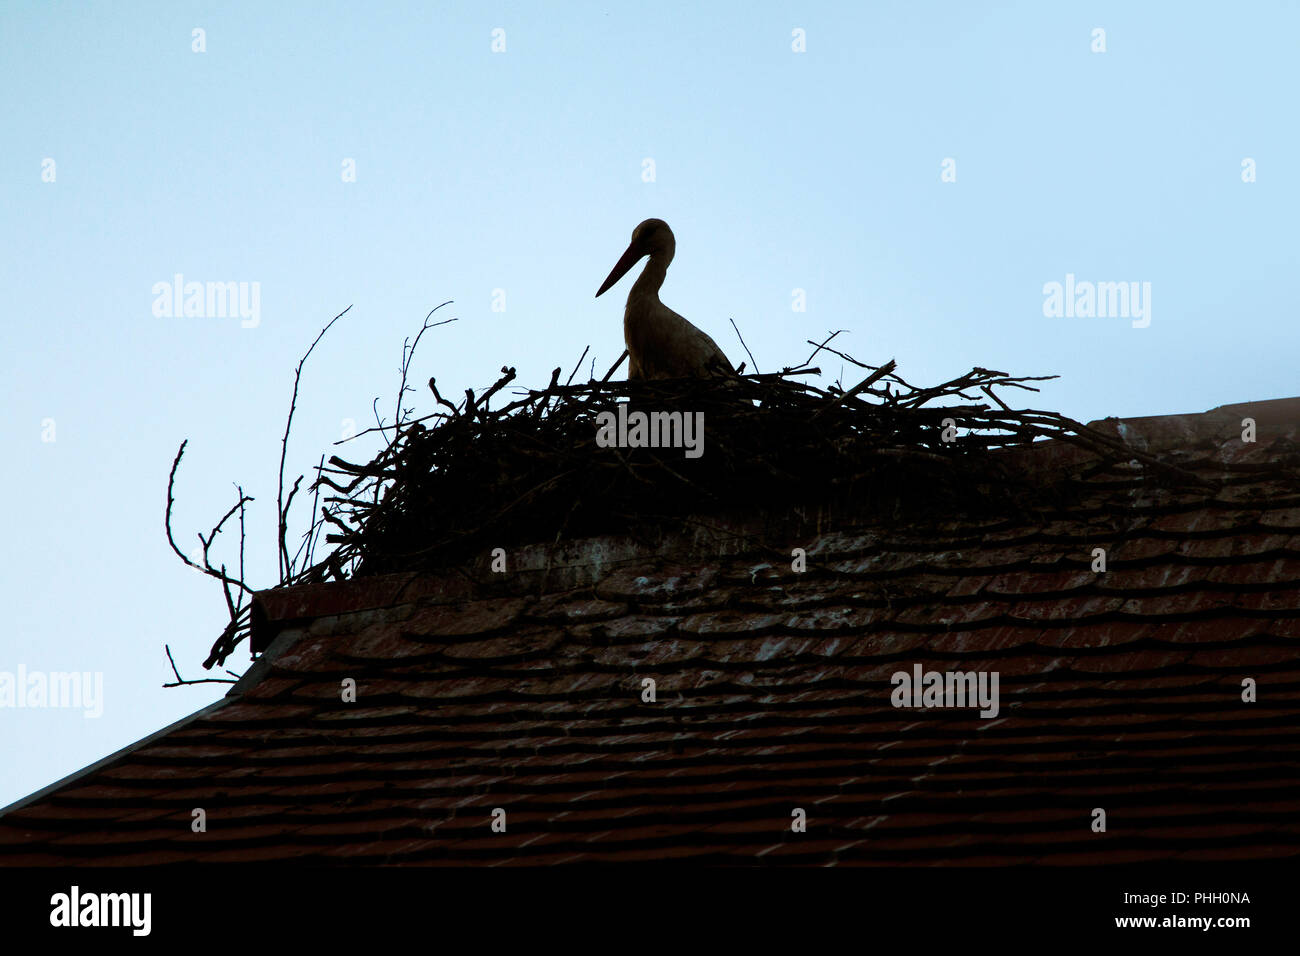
[(917, 175)]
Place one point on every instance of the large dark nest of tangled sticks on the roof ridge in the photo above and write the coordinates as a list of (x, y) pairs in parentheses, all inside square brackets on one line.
[(473, 478)]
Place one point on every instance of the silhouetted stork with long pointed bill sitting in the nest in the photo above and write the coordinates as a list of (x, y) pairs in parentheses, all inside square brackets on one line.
[(661, 344)]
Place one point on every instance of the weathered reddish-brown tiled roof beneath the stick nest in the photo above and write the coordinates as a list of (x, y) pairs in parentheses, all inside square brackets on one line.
[(523, 691)]
